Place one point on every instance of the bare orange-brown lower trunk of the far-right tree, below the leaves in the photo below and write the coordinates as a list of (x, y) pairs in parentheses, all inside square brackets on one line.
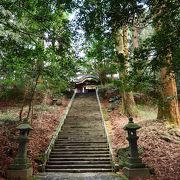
[(168, 102)]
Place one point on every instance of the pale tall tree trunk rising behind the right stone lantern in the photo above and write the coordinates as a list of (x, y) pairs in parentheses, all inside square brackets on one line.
[(128, 104)]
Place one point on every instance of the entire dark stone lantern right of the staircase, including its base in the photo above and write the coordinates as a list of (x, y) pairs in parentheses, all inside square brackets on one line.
[(134, 166)]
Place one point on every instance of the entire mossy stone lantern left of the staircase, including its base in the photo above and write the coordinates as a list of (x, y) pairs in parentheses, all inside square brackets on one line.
[(21, 168)]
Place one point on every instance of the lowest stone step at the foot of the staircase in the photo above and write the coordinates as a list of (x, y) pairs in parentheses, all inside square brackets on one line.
[(81, 170)]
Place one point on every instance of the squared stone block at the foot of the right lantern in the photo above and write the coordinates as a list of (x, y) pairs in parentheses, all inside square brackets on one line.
[(136, 172)]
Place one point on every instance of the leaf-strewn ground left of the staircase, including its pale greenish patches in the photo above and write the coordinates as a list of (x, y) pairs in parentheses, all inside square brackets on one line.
[(44, 122)]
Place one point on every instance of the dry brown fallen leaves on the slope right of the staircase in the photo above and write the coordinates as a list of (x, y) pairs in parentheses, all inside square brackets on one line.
[(158, 153)]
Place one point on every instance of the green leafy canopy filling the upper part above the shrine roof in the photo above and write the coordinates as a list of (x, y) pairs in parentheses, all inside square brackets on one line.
[(26, 26)]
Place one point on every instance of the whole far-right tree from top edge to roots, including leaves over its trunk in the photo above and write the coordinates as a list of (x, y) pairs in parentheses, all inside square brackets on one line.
[(164, 12)]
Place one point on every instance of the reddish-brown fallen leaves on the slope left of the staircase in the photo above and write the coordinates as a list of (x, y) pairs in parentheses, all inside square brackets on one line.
[(44, 125)]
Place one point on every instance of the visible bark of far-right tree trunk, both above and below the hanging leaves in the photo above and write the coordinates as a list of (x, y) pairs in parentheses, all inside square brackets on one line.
[(168, 108)]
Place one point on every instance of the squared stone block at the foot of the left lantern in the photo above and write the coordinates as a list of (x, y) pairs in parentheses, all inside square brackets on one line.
[(23, 174)]
